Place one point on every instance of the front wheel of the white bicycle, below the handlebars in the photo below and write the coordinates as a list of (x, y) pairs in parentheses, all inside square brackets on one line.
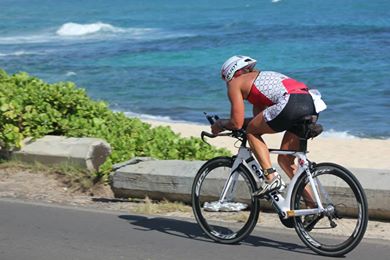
[(225, 217)]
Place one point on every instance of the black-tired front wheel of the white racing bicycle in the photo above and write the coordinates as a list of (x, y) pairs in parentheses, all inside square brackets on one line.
[(224, 231)]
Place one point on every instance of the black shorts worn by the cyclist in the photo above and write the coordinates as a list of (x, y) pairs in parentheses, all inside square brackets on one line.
[(297, 106)]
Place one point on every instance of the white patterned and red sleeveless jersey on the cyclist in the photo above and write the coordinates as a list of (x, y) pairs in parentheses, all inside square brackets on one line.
[(270, 88)]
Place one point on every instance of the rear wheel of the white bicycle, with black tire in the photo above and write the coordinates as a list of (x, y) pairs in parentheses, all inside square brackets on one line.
[(357, 213)]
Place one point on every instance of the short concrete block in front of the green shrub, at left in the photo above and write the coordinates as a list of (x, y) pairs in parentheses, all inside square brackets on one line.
[(85, 153)]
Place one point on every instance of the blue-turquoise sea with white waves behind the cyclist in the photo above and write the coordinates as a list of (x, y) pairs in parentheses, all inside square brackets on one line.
[(161, 59)]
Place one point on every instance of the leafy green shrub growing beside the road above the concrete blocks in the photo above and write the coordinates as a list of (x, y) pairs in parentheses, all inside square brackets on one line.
[(30, 107)]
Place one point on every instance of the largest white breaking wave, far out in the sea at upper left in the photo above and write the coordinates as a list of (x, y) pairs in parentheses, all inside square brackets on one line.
[(76, 29)]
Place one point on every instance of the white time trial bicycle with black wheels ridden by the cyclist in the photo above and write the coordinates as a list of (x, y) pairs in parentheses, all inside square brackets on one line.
[(319, 200)]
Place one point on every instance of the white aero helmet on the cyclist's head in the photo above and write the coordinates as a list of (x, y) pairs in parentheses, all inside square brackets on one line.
[(235, 63)]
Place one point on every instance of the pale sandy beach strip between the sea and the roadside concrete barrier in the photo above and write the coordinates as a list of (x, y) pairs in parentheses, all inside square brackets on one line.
[(349, 152)]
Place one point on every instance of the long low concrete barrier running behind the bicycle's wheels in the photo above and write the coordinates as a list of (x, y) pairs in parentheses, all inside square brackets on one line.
[(172, 180)]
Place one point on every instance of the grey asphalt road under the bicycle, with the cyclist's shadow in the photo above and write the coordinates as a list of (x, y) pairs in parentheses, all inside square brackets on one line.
[(38, 231)]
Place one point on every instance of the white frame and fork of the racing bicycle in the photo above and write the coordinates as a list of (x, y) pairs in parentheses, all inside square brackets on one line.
[(282, 204)]
